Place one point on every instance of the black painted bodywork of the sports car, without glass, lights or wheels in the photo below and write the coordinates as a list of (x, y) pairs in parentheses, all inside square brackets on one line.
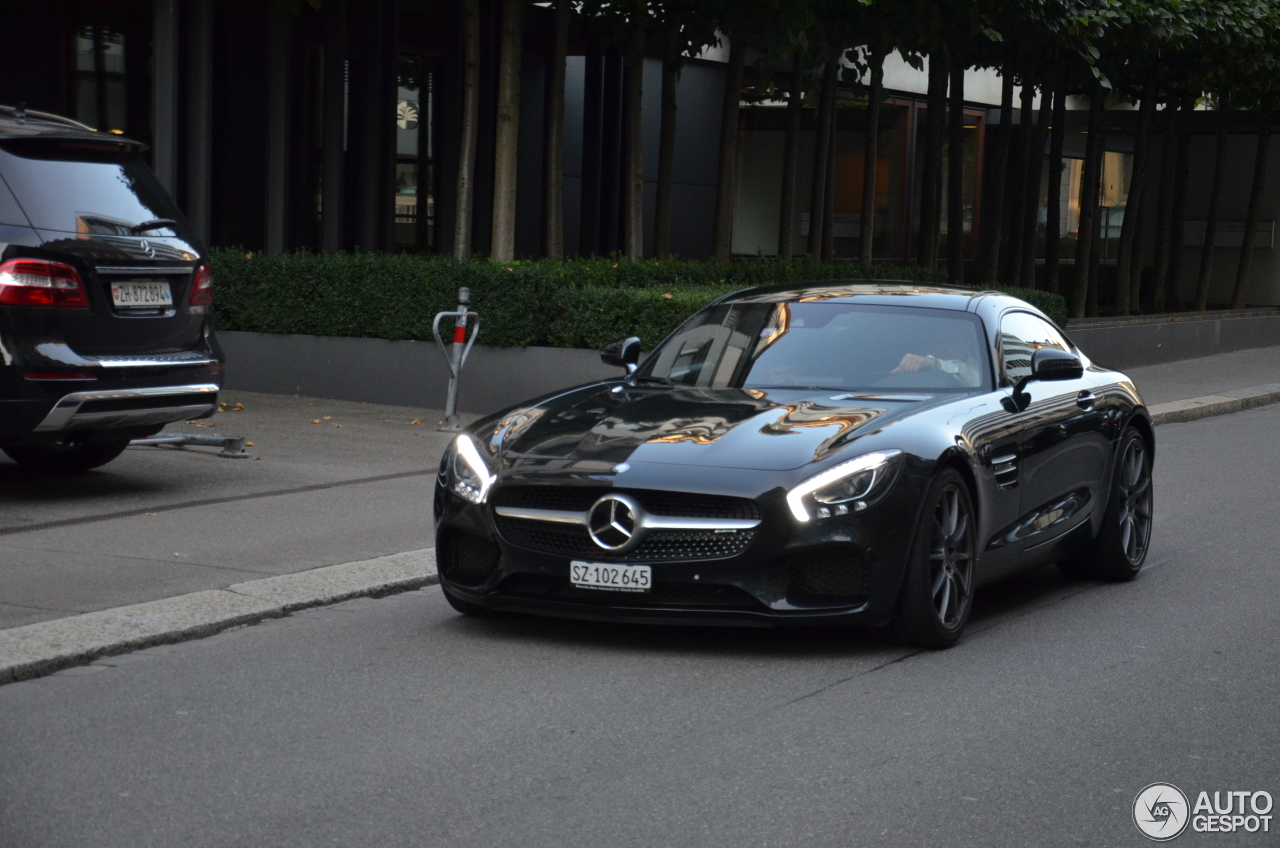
[(756, 444)]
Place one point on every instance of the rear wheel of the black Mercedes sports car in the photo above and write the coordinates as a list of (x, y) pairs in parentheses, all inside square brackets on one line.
[(1121, 549)]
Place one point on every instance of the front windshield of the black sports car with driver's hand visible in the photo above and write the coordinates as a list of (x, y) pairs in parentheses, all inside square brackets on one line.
[(825, 345)]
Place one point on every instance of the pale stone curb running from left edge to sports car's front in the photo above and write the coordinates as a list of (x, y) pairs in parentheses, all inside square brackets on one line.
[(43, 649)]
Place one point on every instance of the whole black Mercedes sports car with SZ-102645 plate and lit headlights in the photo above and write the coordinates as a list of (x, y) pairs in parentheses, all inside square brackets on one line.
[(834, 453)]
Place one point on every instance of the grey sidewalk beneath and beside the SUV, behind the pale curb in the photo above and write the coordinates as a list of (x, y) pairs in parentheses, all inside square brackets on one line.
[(159, 522)]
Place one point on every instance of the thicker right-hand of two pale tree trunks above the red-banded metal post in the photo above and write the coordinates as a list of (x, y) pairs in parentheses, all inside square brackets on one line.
[(508, 134)]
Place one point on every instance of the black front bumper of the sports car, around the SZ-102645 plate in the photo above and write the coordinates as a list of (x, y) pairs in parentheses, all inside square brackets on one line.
[(840, 571)]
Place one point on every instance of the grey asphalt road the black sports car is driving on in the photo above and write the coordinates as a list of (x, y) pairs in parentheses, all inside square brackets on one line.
[(399, 723)]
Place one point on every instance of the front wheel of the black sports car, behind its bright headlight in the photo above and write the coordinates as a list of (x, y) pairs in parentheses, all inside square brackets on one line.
[(938, 591)]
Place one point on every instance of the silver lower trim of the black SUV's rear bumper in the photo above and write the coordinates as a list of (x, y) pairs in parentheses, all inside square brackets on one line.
[(129, 408)]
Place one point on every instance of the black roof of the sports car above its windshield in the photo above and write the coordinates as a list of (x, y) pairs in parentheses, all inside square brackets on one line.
[(881, 293)]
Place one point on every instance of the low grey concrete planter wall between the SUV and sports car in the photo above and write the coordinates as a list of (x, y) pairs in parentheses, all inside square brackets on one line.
[(403, 373)]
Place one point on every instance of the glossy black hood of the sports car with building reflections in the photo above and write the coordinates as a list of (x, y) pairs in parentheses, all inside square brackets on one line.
[(775, 430)]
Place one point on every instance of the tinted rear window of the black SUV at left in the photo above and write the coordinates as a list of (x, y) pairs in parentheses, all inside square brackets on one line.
[(85, 188)]
